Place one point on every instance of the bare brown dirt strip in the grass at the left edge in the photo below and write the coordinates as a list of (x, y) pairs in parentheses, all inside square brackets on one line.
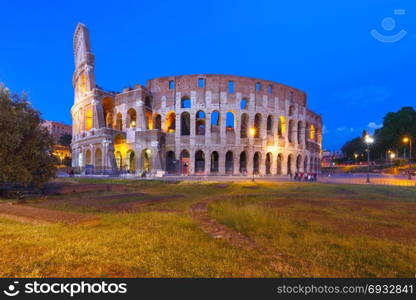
[(35, 215)]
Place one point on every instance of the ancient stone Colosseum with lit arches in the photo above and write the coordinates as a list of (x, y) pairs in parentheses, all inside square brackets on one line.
[(190, 125)]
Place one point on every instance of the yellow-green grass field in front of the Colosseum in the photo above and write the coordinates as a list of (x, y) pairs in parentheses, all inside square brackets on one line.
[(291, 229)]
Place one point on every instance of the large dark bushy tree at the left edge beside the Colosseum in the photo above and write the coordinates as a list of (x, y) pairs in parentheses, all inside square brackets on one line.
[(25, 146)]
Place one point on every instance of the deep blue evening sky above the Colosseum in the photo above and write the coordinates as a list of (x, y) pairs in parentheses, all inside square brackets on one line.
[(322, 47)]
